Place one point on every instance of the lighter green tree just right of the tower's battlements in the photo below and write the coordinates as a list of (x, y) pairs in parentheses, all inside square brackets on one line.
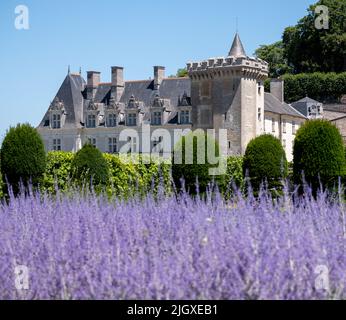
[(274, 55)]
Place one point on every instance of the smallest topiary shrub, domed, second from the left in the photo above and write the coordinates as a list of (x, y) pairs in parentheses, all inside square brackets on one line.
[(90, 167)]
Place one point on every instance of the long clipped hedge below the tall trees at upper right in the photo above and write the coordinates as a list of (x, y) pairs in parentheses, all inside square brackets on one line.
[(323, 87)]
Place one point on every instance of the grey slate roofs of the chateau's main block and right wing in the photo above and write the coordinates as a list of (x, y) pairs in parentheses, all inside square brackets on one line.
[(73, 94)]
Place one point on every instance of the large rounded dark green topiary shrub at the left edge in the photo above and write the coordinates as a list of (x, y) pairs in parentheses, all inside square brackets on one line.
[(23, 156)]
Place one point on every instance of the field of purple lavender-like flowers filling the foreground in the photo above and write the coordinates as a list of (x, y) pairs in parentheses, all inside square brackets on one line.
[(90, 248)]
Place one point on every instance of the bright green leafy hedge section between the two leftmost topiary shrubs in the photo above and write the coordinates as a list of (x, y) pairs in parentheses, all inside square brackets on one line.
[(58, 171)]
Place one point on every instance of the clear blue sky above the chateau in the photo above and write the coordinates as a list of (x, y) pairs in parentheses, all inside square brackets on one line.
[(135, 34)]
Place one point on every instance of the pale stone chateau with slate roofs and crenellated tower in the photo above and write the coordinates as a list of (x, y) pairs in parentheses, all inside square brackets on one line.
[(219, 93)]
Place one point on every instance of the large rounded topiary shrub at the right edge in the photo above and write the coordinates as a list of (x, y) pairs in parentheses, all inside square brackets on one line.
[(318, 154)]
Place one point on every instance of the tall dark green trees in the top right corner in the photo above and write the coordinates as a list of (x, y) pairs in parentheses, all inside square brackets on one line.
[(308, 49)]
